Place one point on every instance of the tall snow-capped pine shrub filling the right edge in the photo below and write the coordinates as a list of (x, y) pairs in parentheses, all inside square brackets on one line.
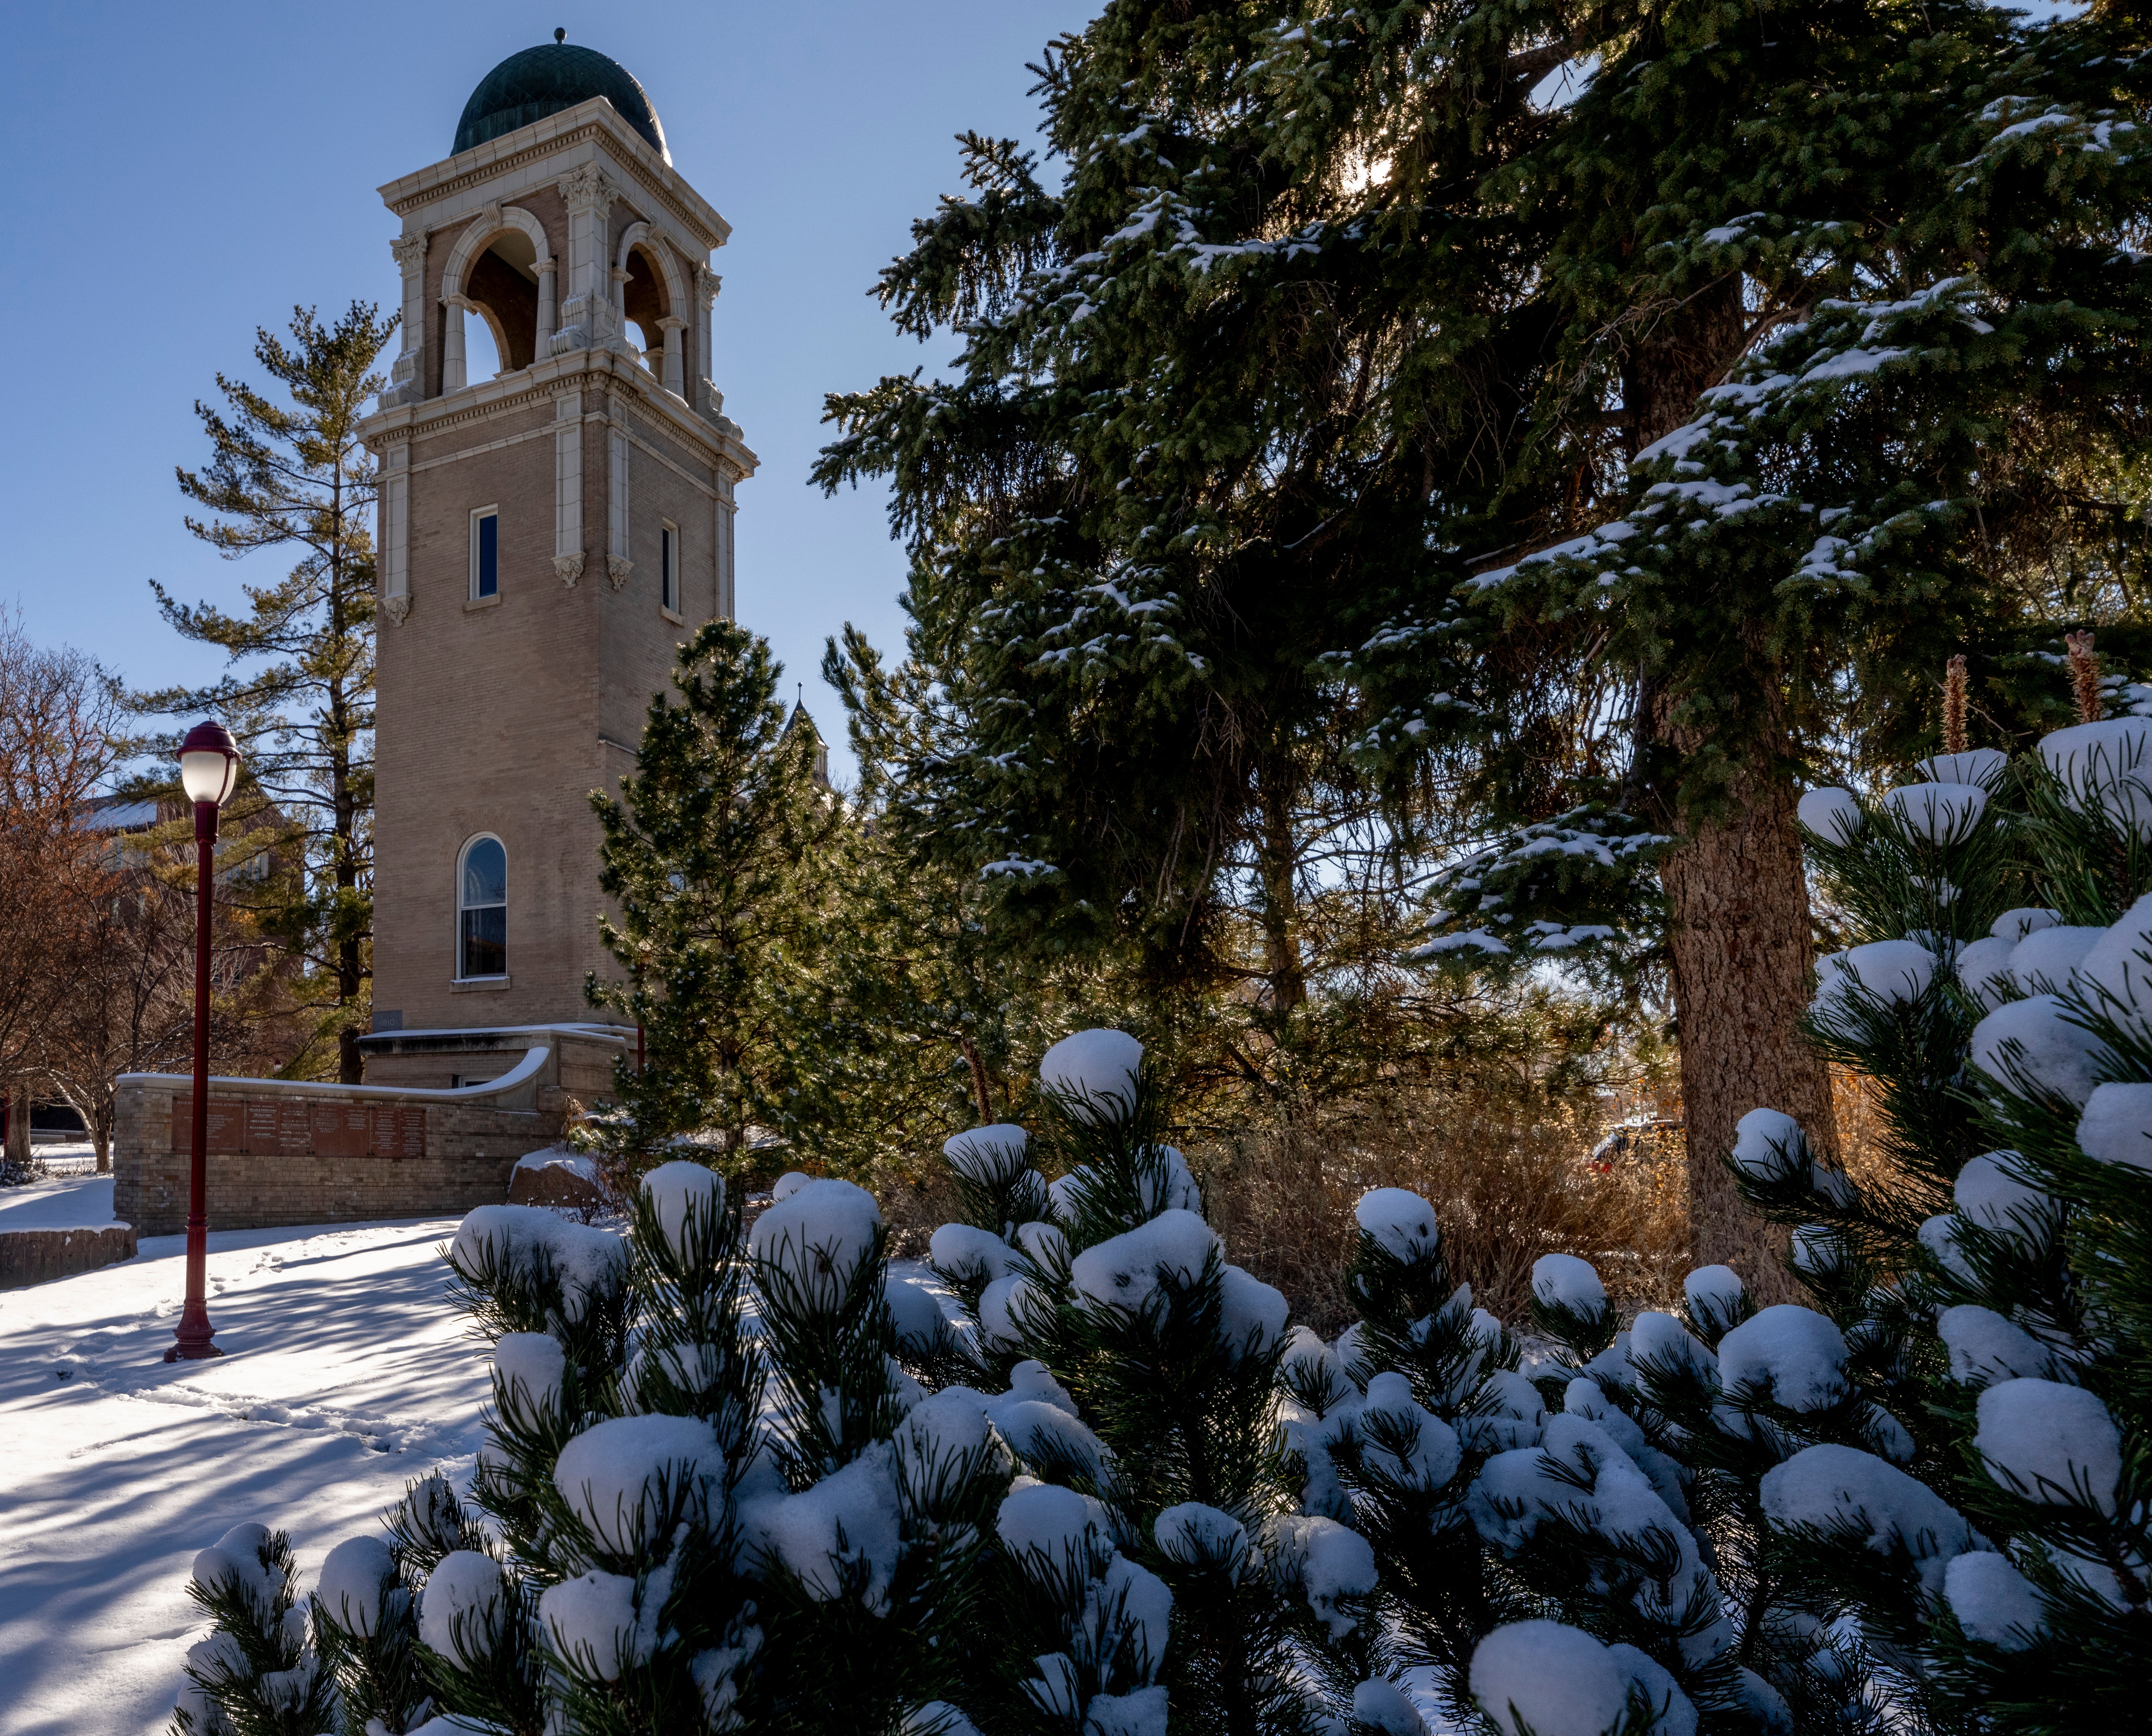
[(1992, 1283)]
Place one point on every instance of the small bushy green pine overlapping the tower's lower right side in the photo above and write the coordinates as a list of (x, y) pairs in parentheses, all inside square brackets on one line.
[(716, 857)]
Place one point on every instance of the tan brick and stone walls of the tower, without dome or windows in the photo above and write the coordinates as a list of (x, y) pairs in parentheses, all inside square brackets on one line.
[(500, 715)]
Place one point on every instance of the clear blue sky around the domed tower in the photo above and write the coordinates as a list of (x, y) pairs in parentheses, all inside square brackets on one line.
[(188, 173)]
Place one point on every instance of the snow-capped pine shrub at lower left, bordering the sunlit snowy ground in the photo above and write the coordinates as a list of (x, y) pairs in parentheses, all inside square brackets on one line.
[(679, 1522)]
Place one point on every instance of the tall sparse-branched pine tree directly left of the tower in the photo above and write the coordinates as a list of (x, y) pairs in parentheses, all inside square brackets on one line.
[(296, 476)]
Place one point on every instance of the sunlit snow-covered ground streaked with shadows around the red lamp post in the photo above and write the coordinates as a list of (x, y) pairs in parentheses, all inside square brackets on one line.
[(348, 1374)]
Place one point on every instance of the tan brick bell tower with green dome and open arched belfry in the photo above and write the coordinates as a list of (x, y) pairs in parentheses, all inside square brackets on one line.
[(548, 537)]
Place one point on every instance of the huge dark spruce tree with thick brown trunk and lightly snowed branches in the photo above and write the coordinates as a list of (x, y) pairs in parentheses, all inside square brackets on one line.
[(1331, 319)]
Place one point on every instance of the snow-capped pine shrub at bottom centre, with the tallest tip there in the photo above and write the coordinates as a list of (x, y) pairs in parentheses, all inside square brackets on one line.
[(1163, 1559)]
